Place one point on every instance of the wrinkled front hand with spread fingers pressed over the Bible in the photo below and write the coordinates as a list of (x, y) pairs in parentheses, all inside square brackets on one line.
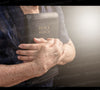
[(46, 53)]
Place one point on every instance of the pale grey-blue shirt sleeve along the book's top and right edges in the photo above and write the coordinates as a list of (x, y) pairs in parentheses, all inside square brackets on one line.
[(63, 35)]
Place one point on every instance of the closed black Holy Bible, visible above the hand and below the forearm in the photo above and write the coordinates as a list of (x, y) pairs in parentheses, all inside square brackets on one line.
[(43, 25)]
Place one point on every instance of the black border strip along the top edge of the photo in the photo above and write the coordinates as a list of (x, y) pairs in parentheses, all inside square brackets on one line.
[(49, 2)]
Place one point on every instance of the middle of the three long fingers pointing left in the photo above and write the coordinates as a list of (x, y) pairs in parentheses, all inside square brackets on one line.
[(26, 52)]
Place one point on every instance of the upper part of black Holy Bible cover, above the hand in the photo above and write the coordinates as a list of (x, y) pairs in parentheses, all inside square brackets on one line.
[(42, 25)]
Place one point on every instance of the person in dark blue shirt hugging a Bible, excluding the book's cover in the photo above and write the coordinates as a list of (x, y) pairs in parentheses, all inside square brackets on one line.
[(30, 65)]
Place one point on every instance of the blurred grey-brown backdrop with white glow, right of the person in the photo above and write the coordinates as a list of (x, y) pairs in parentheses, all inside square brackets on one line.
[(83, 26)]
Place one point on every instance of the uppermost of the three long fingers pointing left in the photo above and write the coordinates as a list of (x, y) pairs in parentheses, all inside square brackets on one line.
[(29, 46)]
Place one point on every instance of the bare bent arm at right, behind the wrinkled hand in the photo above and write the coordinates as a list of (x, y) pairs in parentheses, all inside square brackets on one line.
[(68, 54)]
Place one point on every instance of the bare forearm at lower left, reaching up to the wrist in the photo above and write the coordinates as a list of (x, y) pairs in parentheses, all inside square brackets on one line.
[(14, 74)]
